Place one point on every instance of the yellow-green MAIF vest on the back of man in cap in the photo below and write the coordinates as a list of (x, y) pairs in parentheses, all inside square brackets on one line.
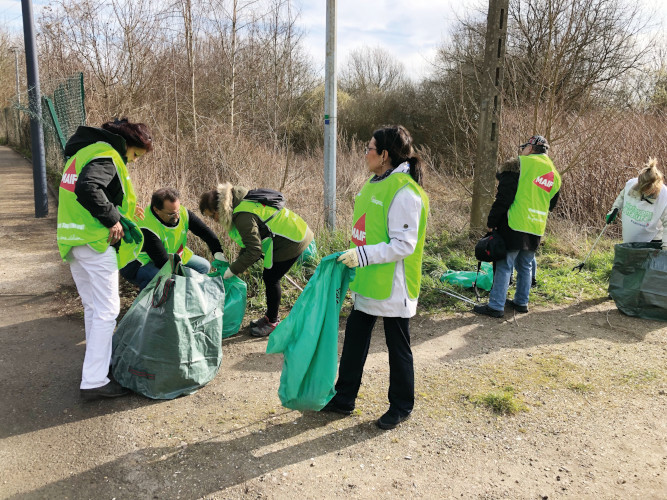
[(539, 181)]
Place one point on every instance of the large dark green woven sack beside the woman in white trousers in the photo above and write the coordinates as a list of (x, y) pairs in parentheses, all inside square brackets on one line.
[(169, 342)]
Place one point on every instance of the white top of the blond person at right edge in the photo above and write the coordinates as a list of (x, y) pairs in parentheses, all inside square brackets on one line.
[(643, 218)]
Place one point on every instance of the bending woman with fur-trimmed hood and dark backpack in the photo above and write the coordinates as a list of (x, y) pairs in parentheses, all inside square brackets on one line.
[(258, 221)]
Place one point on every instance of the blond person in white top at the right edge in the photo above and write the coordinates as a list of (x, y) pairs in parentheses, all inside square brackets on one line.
[(643, 206)]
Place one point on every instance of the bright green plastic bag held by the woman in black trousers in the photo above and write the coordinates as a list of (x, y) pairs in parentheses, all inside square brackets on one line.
[(308, 338)]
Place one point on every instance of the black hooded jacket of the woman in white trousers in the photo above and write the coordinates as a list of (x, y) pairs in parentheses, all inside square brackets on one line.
[(98, 187)]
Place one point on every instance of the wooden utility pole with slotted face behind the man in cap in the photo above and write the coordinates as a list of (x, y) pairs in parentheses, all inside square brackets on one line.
[(488, 129)]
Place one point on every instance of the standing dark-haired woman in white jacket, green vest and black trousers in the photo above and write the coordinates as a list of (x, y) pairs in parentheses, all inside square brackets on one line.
[(387, 245)]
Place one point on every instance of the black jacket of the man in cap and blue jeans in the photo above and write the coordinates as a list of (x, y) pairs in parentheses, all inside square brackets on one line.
[(508, 182)]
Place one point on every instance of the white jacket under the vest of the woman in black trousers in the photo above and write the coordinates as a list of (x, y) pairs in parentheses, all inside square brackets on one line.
[(403, 227)]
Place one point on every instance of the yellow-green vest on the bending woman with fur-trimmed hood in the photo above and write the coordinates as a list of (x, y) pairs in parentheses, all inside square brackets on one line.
[(281, 222)]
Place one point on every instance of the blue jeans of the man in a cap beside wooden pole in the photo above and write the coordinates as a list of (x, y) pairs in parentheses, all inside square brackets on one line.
[(522, 260)]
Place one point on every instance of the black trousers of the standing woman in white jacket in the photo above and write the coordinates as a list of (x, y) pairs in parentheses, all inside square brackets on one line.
[(355, 350)]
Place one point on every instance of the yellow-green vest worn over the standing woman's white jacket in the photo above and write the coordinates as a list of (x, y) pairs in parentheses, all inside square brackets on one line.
[(371, 227)]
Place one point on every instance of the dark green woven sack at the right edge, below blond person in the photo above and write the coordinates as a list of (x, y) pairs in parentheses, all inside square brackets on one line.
[(638, 281)]
